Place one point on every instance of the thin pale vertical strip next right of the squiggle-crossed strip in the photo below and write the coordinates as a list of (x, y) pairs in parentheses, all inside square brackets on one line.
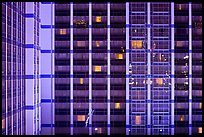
[(108, 43)]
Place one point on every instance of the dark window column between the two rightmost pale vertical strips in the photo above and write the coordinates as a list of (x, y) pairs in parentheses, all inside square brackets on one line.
[(181, 68)]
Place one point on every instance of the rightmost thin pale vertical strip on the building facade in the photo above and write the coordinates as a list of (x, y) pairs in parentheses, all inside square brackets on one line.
[(190, 69)]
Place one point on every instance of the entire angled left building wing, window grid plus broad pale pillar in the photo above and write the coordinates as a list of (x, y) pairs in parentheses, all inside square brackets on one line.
[(20, 68)]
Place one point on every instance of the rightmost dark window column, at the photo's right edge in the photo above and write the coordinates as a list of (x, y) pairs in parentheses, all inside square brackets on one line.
[(196, 67)]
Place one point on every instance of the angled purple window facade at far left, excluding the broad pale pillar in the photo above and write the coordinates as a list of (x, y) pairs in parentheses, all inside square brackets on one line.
[(13, 68)]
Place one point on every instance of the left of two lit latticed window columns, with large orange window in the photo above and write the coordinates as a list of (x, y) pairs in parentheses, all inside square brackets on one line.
[(138, 68)]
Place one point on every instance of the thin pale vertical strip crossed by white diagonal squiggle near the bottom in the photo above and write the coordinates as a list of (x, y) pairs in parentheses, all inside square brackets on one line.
[(90, 68)]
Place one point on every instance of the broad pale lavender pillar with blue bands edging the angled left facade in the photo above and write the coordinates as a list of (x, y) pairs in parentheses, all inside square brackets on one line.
[(32, 69)]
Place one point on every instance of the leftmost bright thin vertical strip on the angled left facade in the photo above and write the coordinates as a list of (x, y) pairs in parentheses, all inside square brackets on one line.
[(6, 118)]
